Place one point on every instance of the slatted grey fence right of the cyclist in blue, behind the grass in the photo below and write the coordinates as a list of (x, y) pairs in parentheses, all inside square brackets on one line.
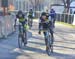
[(66, 18)]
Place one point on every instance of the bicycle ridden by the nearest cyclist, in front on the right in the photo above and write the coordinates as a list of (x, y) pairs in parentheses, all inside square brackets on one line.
[(49, 41)]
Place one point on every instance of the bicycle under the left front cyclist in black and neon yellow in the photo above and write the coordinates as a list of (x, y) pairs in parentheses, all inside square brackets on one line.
[(22, 37)]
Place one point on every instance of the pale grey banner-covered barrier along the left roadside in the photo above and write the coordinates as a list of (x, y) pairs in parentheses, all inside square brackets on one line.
[(6, 25)]
